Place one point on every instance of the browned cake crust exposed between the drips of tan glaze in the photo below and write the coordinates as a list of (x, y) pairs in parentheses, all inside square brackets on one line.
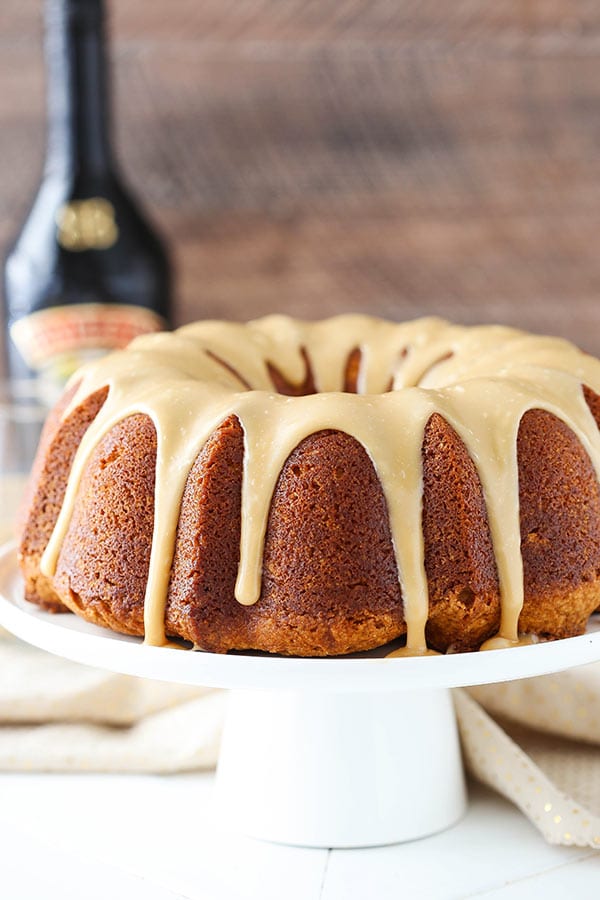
[(330, 582)]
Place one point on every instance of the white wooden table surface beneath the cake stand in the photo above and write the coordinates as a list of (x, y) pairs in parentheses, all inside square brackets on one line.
[(90, 837)]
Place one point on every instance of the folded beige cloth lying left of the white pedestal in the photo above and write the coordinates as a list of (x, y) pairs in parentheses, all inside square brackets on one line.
[(57, 716)]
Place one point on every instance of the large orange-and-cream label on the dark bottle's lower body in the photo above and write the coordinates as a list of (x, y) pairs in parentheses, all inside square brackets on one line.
[(55, 342)]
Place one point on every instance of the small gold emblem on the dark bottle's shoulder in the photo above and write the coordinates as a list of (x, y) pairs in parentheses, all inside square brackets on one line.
[(87, 225)]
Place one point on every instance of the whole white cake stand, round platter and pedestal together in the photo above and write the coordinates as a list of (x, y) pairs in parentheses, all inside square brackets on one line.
[(354, 751)]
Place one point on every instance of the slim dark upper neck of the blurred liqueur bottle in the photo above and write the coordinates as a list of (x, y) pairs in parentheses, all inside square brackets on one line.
[(78, 113)]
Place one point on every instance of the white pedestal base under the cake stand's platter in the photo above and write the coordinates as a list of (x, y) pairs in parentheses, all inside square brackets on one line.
[(340, 769)]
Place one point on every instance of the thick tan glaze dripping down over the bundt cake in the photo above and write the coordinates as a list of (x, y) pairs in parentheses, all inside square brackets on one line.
[(480, 380)]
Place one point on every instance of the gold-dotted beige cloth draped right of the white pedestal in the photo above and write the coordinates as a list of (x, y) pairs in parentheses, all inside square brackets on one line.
[(537, 741)]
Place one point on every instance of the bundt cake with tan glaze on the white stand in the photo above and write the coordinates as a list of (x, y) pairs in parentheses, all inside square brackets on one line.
[(320, 488)]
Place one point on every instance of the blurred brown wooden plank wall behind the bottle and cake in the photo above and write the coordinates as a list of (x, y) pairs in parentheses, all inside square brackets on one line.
[(316, 156)]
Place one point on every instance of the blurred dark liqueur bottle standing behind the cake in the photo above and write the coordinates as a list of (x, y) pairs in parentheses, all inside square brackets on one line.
[(87, 272)]
